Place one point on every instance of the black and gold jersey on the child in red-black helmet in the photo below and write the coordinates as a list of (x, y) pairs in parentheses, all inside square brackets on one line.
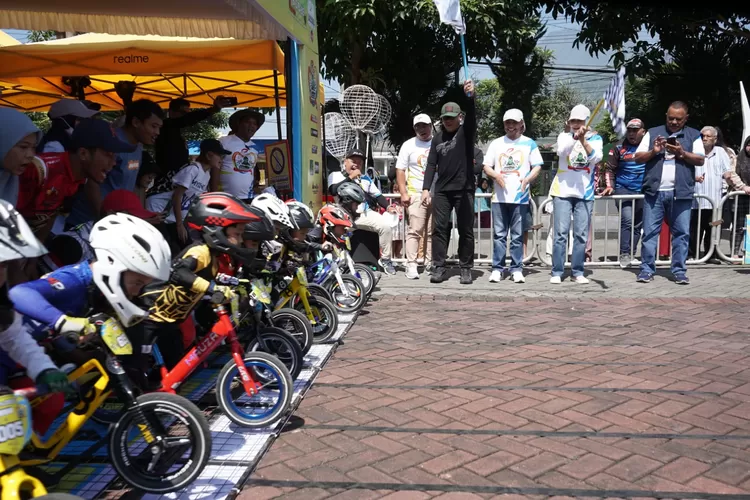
[(193, 272)]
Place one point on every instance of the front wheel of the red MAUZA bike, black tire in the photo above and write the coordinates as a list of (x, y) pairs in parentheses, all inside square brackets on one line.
[(227, 392)]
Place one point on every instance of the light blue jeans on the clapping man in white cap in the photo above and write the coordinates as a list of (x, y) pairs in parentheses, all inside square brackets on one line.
[(580, 210)]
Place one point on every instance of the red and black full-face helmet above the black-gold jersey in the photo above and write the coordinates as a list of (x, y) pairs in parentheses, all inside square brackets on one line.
[(210, 213)]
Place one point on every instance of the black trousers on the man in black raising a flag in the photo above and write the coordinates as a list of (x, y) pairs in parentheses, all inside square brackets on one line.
[(442, 205)]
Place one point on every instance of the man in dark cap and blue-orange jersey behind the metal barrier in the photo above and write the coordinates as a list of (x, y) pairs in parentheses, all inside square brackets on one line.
[(628, 181)]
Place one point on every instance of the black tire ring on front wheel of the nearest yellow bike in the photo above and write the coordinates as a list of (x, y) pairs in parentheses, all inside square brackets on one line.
[(200, 437)]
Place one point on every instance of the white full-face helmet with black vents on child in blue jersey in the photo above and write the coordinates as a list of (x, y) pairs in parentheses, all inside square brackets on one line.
[(122, 242)]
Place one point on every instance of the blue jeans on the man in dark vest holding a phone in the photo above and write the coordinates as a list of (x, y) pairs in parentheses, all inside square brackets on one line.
[(655, 208)]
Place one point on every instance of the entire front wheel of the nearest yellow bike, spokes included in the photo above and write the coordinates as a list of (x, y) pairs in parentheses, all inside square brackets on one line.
[(182, 454)]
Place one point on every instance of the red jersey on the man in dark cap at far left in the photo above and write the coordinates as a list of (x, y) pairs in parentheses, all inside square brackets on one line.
[(46, 189)]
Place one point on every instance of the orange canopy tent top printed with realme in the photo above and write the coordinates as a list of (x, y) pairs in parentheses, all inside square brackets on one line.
[(33, 76)]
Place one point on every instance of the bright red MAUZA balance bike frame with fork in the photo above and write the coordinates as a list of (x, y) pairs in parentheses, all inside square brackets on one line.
[(222, 330)]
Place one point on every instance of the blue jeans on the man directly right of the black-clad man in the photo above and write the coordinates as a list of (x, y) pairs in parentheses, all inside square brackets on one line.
[(507, 217)]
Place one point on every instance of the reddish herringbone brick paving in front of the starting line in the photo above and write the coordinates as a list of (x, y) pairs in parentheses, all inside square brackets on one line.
[(610, 390)]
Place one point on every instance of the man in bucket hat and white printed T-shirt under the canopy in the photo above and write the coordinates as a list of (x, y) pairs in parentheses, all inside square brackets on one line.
[(238, 173)]
